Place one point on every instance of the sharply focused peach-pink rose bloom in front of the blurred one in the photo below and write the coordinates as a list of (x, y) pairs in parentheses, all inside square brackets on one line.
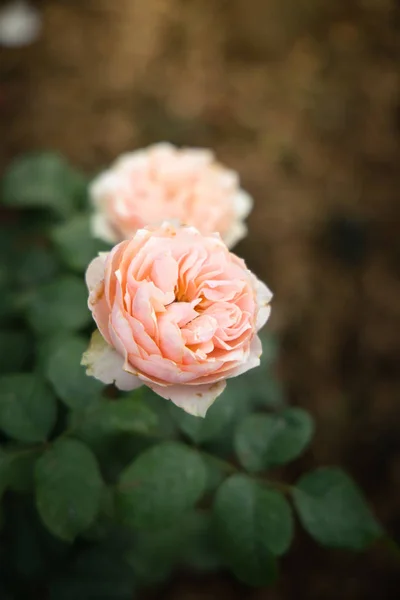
[(176, 311)]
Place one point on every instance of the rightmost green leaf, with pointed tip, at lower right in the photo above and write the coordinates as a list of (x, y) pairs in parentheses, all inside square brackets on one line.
[(333, 510)]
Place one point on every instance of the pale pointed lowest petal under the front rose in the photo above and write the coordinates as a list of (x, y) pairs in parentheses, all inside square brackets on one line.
[(195, 400)]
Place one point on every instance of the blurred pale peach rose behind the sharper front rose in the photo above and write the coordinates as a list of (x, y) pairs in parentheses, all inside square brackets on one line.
[(162, 183)]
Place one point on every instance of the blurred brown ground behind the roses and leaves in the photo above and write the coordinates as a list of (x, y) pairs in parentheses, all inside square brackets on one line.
[(302, 98)]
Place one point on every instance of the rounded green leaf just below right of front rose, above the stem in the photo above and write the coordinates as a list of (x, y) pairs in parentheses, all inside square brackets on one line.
[(262, 440)]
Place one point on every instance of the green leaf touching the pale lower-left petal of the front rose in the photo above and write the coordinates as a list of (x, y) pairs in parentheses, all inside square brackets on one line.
[(64, 371)]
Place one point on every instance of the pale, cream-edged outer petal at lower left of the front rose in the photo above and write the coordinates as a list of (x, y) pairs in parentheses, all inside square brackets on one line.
[(104, 363)]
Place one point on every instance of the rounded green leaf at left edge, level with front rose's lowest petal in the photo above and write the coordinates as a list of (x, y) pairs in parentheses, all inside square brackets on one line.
[(27, 407)]
